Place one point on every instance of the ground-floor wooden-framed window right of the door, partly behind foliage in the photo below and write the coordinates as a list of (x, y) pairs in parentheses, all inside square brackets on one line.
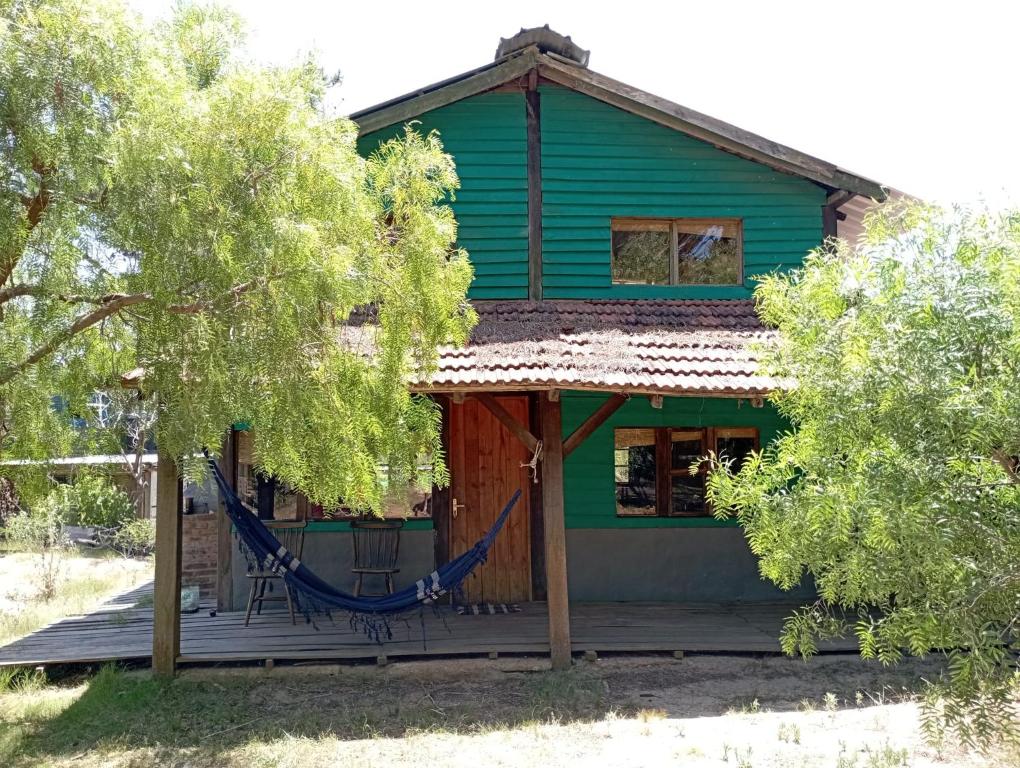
[(652, 468)]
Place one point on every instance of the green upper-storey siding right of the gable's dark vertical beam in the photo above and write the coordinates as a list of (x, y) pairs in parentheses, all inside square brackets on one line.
[(599, 162)]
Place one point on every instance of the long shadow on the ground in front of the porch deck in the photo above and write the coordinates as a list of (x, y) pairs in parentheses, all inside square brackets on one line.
[(208, 713)]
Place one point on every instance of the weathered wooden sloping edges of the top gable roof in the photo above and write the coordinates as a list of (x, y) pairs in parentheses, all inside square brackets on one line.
[(519, 65)]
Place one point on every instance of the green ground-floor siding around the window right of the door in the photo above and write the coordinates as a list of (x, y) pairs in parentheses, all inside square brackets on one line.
[(590, 491)]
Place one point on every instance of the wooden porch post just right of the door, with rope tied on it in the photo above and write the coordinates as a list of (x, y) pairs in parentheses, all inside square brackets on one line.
[(555, 533)]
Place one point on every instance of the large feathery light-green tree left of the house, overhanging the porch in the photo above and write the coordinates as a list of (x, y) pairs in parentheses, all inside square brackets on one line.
[(171, 208)]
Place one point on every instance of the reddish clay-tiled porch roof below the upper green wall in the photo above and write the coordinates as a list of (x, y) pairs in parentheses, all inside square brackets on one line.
[(642, 346)]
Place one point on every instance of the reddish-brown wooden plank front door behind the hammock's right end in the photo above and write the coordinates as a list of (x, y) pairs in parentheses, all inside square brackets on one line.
[(485, 472)]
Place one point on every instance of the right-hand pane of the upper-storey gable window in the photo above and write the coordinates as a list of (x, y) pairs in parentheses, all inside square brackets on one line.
[(709, 252)]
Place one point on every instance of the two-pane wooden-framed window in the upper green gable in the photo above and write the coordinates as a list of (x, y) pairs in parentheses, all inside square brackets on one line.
[(678, 251)]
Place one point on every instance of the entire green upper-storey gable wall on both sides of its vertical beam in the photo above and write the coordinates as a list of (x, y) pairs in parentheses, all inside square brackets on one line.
[(598, 163)]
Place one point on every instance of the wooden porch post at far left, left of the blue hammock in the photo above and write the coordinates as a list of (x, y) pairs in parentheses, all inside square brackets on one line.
[(167, 599)]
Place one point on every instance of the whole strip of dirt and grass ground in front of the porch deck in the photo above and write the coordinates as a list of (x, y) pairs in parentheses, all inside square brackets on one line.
[(718, 711)]
